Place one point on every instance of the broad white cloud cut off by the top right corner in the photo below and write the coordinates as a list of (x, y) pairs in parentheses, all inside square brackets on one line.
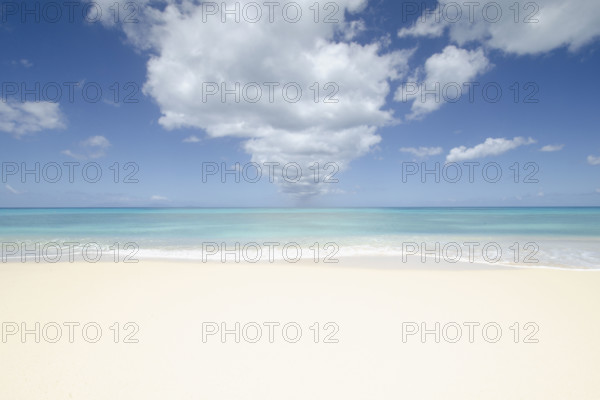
[(541, 26)]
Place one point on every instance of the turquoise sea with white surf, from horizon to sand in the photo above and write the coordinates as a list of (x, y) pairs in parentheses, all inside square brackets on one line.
[(531, 237)]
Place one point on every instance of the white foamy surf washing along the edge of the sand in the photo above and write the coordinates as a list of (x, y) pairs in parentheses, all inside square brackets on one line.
[(580, 254)]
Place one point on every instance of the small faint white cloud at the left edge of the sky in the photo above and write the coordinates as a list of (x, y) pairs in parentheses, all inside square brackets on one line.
[(20, 119)]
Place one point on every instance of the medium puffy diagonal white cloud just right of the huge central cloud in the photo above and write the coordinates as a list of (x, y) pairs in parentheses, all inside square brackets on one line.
[(445, 75)]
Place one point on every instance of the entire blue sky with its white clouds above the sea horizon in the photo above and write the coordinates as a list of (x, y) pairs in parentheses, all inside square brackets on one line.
[(373, 134)]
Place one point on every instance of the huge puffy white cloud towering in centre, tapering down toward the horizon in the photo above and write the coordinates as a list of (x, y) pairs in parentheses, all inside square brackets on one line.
[(189, 53)]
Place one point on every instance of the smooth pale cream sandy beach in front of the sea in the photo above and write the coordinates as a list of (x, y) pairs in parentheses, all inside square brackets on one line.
[(365, 306)]
